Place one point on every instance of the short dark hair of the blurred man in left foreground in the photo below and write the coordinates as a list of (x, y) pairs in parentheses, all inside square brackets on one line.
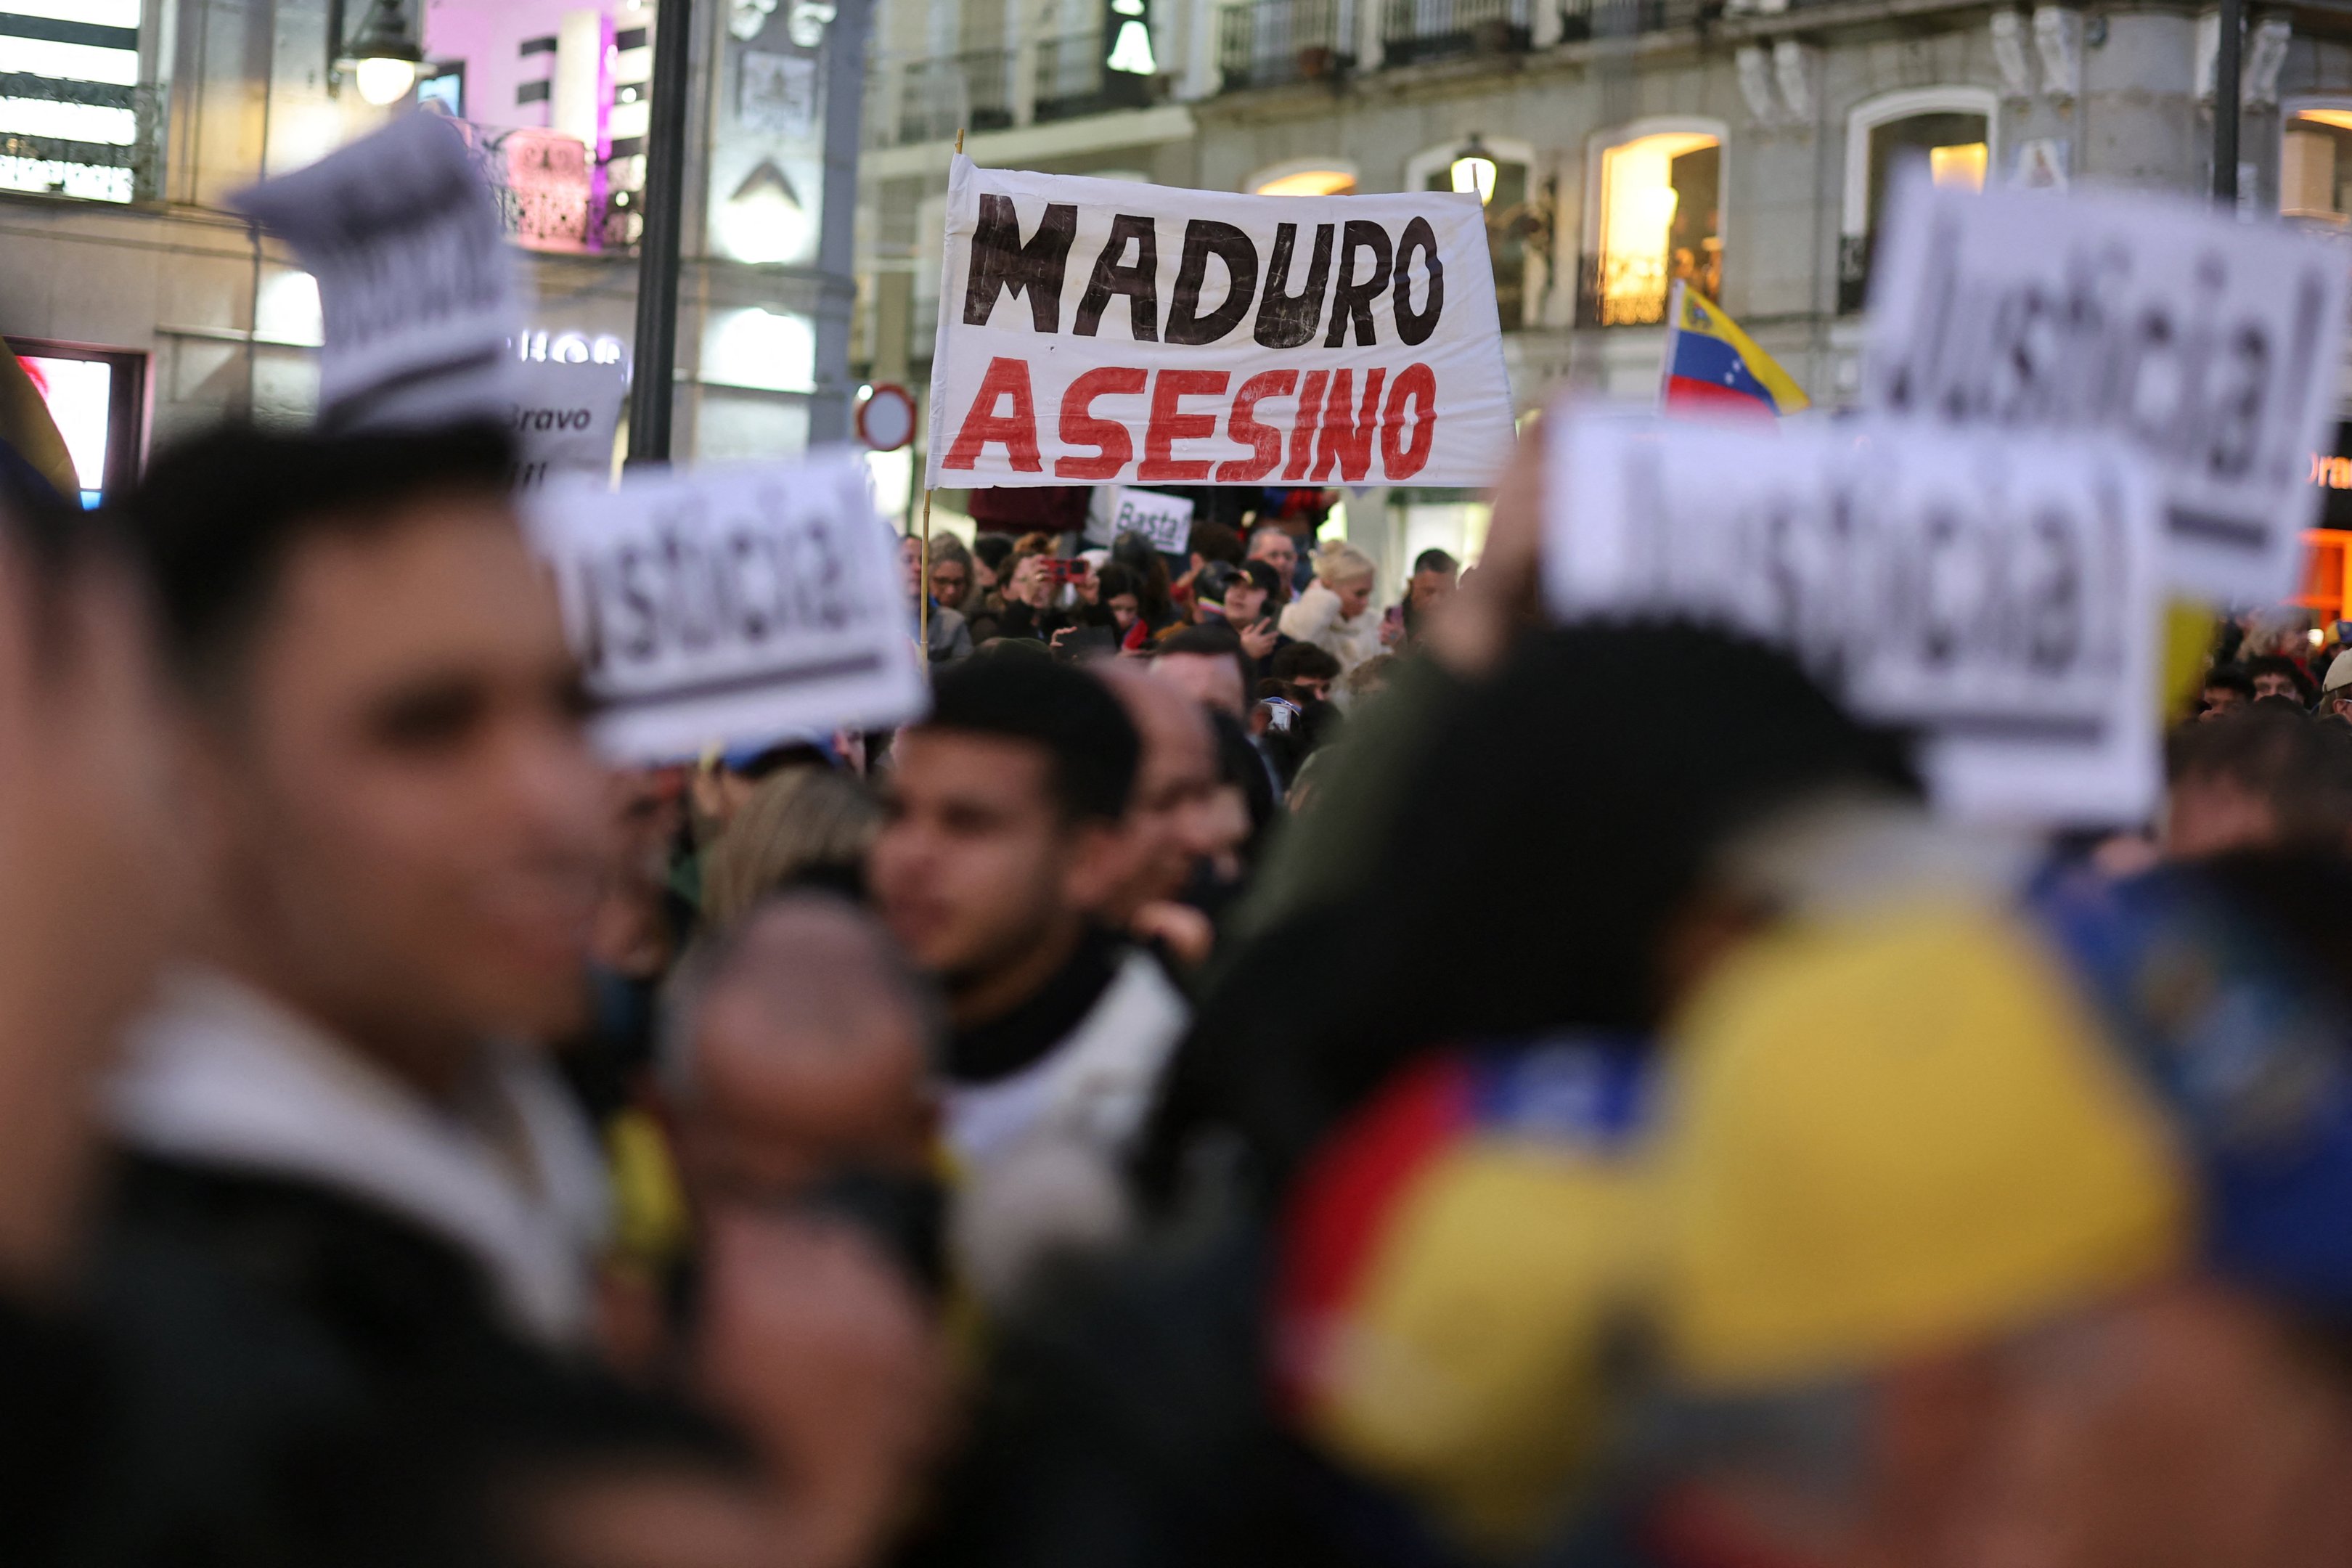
[(220, 516)]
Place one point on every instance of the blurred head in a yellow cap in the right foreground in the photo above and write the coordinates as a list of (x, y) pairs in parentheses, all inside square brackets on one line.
[(1899, 1141)]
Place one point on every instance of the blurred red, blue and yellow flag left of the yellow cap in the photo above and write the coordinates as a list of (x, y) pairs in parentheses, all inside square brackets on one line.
[(1448, 1275)]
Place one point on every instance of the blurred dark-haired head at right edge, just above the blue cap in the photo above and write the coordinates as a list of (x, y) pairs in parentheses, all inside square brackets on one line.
[(2257, 779)]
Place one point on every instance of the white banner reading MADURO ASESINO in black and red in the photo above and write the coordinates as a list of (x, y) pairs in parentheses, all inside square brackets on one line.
[(1114, 333)]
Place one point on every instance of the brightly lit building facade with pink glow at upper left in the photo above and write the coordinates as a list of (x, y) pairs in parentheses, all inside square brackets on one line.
[(149, 307)]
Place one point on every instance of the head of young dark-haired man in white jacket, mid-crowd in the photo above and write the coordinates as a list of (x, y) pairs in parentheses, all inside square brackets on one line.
[(1005, 826)]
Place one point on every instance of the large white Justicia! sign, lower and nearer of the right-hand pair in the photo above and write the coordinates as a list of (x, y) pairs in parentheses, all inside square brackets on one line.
[(1996, 594)]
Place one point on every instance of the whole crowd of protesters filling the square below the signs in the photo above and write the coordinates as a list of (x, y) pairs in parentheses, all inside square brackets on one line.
[(1259, 1073)]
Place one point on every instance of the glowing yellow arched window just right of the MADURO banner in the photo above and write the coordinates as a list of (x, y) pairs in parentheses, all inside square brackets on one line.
[(1655, 220)]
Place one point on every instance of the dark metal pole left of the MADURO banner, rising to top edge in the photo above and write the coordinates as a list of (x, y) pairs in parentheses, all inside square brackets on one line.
[(655, 363)]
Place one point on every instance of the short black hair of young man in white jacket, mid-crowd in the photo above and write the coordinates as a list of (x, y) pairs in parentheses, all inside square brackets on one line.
[(1085, 732)]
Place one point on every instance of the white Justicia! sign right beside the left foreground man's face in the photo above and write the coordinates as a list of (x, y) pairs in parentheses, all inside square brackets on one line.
[(733, 605)]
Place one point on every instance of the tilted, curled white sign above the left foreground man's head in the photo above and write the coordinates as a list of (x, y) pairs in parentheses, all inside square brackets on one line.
[(415, 283)]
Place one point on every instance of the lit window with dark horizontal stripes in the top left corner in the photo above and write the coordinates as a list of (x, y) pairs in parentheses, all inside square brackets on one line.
[(69, 98)]
